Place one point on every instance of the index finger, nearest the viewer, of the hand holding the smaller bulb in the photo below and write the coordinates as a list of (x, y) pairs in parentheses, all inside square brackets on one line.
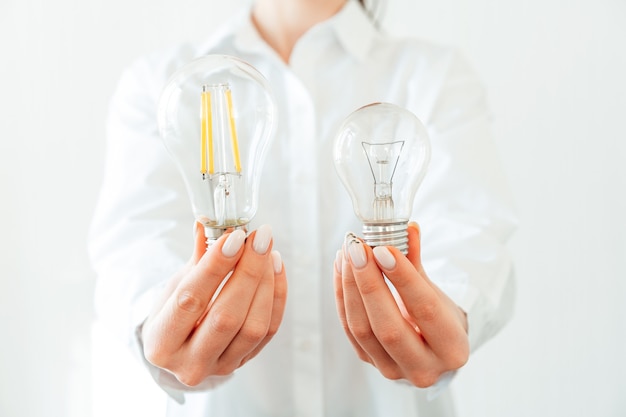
[(434, 314)]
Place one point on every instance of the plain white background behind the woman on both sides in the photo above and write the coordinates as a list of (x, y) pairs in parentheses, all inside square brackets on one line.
[(554, 70)]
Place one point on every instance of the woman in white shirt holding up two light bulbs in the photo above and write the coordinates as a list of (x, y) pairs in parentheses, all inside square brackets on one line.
[(347, 348)]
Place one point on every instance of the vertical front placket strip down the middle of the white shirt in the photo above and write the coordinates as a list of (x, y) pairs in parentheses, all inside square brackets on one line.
[(304, 284)]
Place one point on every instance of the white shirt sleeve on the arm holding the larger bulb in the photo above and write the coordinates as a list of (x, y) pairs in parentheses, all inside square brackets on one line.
[(142, 229)]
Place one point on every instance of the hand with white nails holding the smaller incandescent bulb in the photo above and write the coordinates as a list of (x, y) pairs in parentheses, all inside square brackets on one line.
[(417, 334)]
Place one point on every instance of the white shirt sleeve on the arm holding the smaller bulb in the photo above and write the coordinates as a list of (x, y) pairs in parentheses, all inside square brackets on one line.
[(464, 207)]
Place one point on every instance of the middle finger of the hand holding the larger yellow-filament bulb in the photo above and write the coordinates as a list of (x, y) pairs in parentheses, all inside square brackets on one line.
[(232, 306)]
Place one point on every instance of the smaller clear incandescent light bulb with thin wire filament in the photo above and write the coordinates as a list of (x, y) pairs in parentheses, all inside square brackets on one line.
[(381, 155)]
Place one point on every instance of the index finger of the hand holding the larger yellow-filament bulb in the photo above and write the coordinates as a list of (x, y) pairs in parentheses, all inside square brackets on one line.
[(174, 323)]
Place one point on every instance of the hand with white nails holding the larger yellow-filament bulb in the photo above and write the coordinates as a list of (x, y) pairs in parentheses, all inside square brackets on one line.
[(194, 333)]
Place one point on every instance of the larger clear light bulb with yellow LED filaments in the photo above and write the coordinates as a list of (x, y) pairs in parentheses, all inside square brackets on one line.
[(216, 116)]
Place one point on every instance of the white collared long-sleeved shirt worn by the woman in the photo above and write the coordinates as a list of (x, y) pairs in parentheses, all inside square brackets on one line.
[(142, 227)]
